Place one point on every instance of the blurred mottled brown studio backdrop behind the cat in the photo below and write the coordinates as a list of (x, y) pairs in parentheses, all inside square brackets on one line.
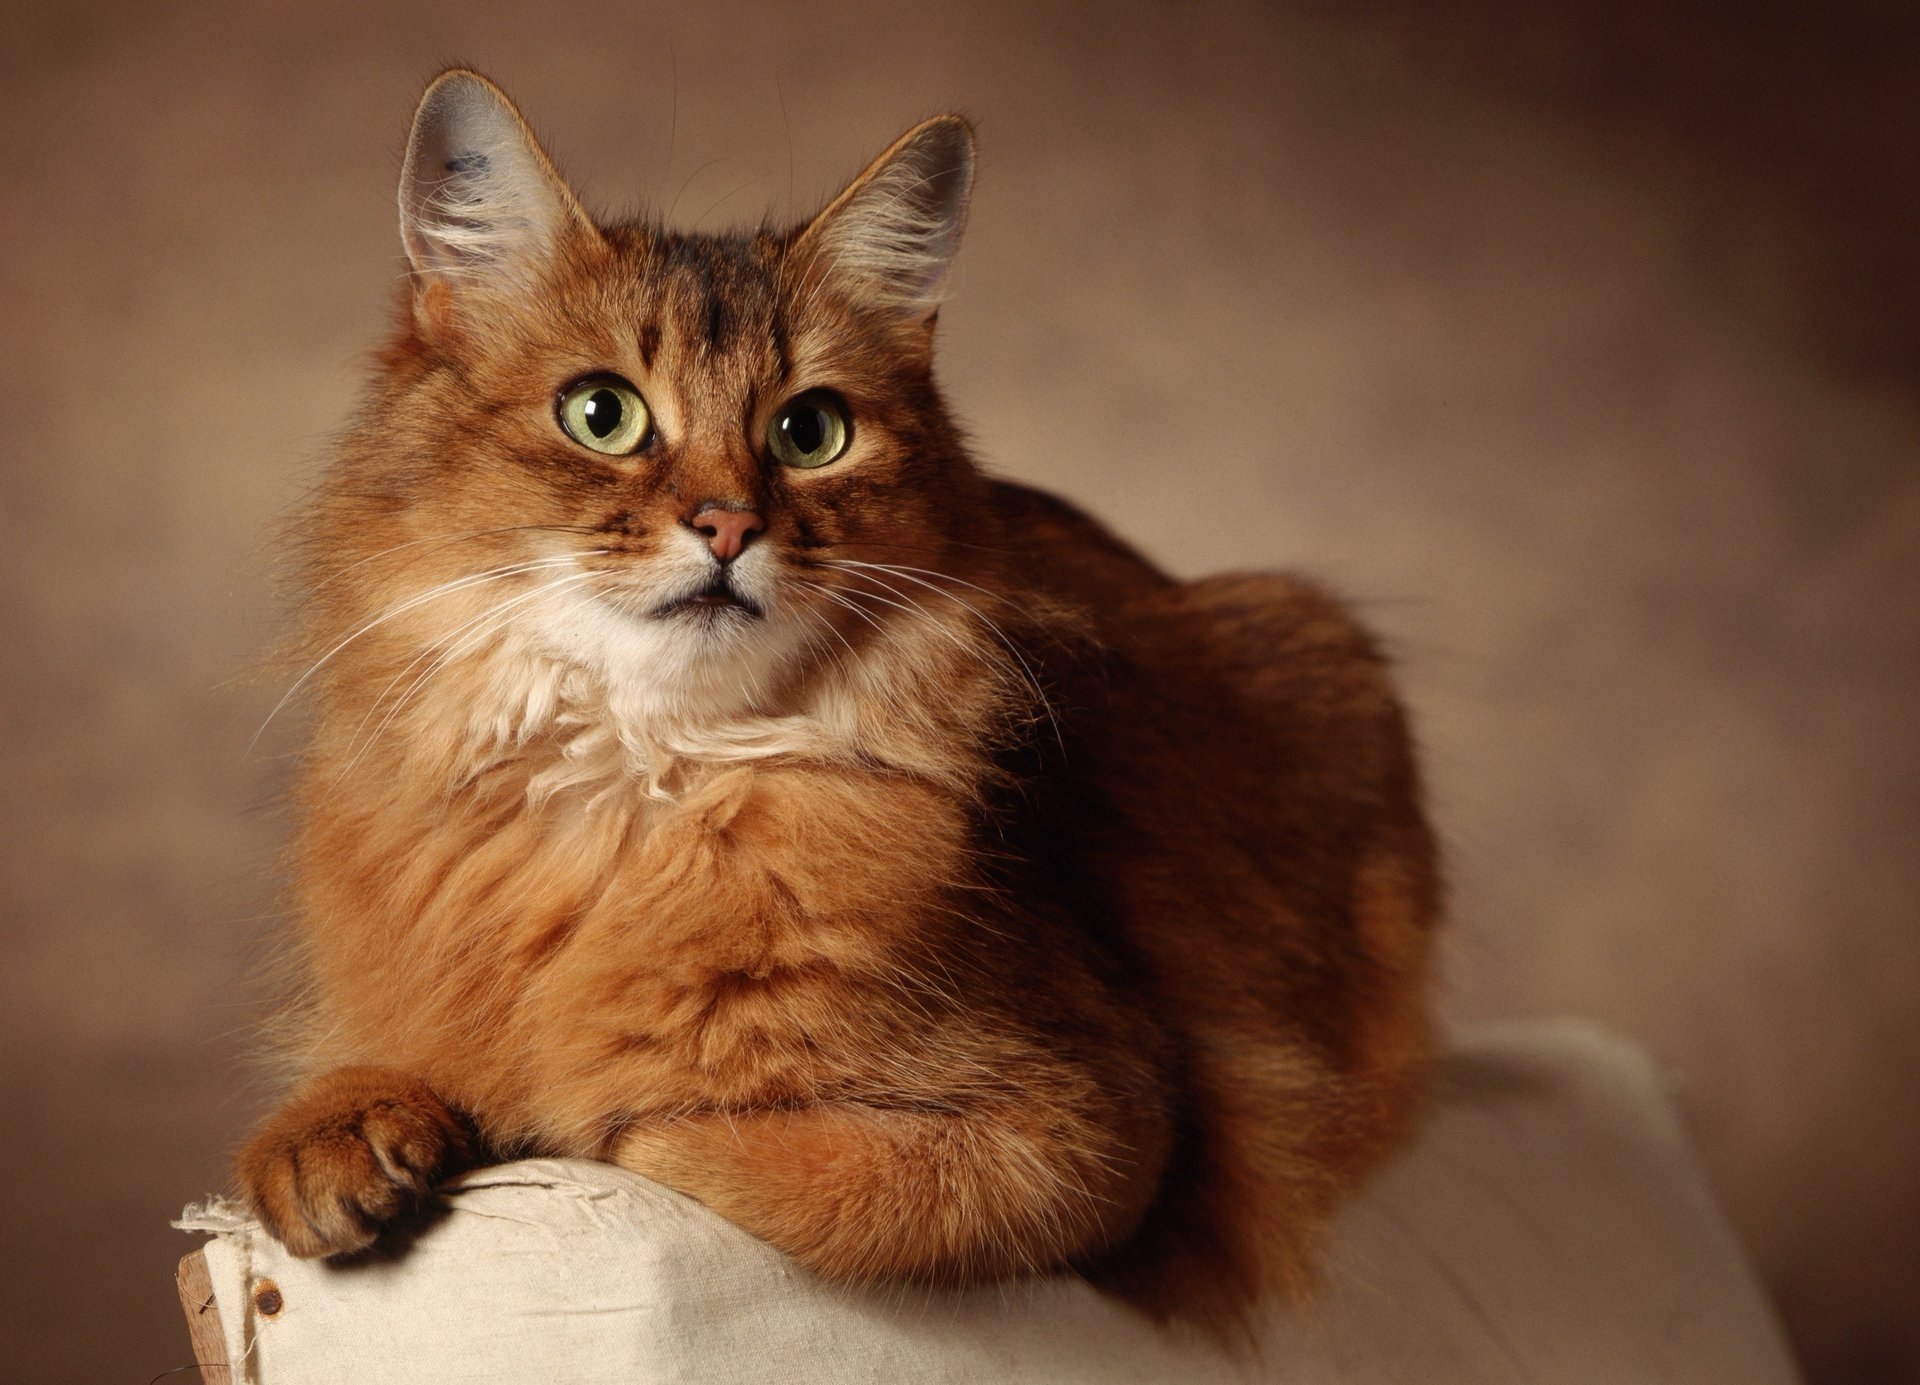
[(1579, 341)]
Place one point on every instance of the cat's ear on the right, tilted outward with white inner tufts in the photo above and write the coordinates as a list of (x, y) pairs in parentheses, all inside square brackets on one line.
[(892, 237)]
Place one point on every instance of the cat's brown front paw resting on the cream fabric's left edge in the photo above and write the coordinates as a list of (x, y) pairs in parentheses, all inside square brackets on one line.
[(347, 1155)]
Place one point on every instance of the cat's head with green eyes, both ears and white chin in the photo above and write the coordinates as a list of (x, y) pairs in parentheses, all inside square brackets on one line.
[(706, 470)]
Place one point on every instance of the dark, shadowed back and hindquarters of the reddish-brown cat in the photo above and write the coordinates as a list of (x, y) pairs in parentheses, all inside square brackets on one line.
[(1245, 815)]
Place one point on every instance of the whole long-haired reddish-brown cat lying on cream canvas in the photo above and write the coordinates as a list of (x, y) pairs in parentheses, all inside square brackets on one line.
[(715, 773)]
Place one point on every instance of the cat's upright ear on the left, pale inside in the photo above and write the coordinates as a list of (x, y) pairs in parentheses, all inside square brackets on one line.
[(479, 199)]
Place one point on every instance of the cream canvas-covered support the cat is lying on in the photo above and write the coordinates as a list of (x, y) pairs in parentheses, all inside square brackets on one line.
[(1548, 1227)]
